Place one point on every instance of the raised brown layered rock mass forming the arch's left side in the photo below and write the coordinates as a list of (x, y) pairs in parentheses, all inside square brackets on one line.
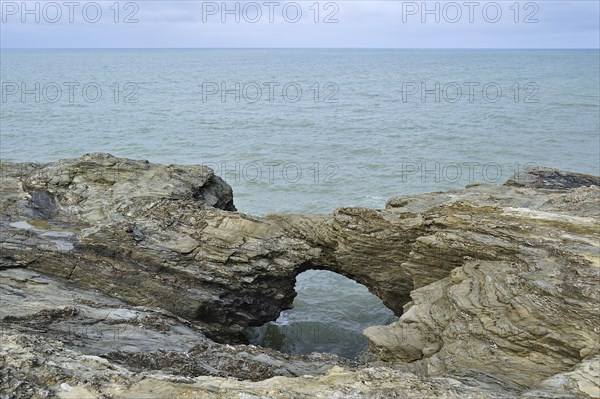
[(146, 233)]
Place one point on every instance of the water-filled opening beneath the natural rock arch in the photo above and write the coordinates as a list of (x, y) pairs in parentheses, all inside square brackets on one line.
[(329, 314)]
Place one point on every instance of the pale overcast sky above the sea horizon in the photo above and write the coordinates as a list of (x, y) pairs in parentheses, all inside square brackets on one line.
[(354, 24)]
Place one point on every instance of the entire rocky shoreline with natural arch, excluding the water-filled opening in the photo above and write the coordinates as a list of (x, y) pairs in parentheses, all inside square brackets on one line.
[(124, 279)]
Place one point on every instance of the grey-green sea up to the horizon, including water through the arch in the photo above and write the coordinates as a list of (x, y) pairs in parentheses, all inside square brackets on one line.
[(311, 130)]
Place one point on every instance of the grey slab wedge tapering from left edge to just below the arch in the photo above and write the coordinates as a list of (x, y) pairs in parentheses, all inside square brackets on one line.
[(141, 337)]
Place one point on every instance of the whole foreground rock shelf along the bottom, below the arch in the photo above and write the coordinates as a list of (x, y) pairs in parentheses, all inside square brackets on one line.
[(59, 340)]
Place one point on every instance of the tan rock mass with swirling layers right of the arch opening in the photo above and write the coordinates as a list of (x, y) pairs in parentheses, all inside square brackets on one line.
[(507, 283)]
